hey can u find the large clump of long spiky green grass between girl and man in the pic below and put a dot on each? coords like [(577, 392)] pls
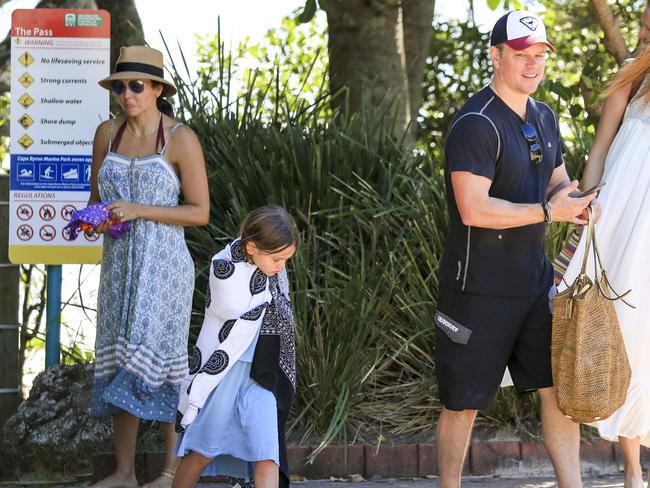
[(364, 283)]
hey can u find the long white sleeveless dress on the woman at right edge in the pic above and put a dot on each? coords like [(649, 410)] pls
[(623, 236)]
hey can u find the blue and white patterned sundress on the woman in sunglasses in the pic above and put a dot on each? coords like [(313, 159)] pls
[(145, 295)]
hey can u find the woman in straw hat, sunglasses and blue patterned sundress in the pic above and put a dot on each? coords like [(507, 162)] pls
[(142, 162)]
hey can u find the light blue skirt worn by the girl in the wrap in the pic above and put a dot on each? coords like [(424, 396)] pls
[(237, 426)]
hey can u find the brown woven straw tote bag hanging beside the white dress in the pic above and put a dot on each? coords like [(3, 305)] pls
[(591, 372)]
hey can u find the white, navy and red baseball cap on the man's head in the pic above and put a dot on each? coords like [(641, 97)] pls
[(519, 30)]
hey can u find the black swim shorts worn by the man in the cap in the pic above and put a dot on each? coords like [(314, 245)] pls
[(477, 336)]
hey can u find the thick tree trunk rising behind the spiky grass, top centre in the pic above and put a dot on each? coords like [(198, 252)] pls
[(377, 50)]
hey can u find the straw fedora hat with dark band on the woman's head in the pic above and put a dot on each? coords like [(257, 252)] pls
[(140, 63)]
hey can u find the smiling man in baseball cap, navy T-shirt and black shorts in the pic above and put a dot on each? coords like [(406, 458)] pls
[(505, 180)]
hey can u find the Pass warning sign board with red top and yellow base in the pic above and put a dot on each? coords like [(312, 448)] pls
[(57, 58)]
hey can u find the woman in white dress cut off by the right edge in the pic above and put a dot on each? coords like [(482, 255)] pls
[(620, 156)]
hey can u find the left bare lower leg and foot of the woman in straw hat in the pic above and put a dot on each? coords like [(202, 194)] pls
[(125, 431)]
